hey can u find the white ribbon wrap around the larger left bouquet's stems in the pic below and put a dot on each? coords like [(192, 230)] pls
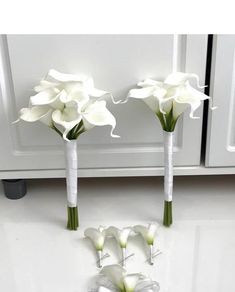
[(71, 172)]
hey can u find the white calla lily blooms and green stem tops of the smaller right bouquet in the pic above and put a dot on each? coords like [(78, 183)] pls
[(169, 99)]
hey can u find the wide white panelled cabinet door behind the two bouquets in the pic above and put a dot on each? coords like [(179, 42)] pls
[(117, 63)]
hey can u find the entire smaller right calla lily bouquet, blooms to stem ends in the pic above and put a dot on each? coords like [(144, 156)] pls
[(169, 100)]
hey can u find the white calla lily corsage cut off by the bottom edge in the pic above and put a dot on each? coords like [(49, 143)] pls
[(123, 282)]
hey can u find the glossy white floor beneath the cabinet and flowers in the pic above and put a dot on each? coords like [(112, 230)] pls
[(37, 253)]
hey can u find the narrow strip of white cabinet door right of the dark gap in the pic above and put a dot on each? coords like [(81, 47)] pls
[(221, 126)]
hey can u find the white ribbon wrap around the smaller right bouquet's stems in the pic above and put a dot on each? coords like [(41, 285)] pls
[(168, 164)]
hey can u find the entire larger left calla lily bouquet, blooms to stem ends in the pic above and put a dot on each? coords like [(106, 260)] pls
[(70, 105)]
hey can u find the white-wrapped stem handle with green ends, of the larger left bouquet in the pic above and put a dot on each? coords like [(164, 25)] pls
[(71, 182)]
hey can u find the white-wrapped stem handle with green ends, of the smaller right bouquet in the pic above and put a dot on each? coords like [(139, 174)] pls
[(168, 177)]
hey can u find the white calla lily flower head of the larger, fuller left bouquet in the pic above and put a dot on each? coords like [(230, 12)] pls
[(69, 104)]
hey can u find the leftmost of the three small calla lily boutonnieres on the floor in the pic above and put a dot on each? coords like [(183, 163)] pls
[(97, 236)]
